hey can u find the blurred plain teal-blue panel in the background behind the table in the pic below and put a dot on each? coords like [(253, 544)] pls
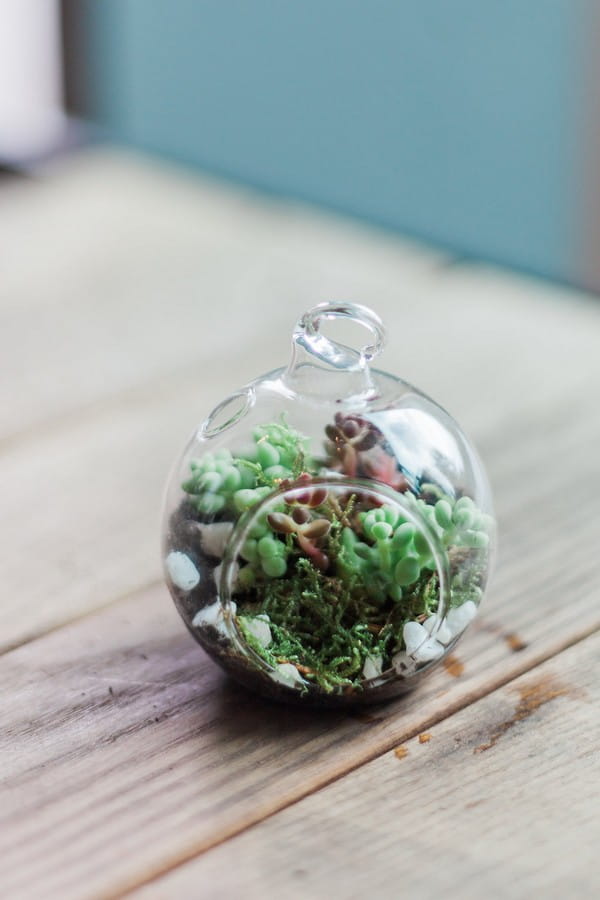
[(456, 122)]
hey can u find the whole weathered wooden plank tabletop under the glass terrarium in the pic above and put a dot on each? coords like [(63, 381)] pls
[(133, 298)]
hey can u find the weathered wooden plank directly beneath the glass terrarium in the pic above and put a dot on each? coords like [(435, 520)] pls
[(173, 760)]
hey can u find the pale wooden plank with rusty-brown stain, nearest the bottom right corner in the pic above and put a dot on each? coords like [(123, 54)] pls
[(499, 800)]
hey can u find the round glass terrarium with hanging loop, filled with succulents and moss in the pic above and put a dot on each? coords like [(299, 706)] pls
[(328, 530)]
